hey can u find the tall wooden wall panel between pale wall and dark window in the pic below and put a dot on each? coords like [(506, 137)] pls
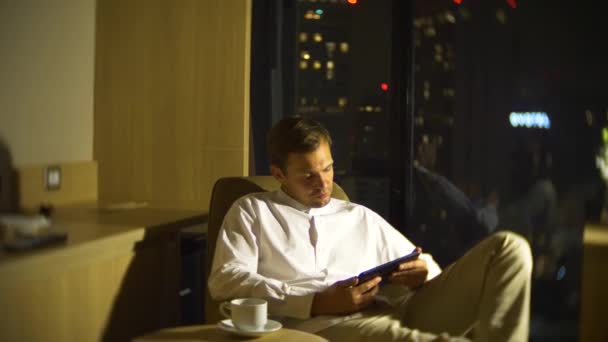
[(171, 98)]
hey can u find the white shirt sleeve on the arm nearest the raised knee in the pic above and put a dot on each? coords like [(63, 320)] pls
[(396, 245)]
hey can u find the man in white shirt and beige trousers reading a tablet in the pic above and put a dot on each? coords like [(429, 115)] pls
[(301, 250)]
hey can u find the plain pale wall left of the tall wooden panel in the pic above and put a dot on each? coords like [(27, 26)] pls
[(46, 87)]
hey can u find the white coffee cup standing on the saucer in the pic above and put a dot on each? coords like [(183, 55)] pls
[(246, 313)]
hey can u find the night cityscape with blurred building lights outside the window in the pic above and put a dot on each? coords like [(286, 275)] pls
[(507, 106)]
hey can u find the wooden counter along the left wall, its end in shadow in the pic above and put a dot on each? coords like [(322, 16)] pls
[(116, 277)]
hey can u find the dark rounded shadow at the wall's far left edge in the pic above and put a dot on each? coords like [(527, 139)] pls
[(9, 194)]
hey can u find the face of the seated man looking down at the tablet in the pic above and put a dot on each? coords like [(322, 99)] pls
[(308, 177)]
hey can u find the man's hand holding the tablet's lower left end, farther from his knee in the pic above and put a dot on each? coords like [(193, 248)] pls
[(345, 297)]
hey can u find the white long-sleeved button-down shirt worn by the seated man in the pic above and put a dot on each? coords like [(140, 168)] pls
[(271, 246)]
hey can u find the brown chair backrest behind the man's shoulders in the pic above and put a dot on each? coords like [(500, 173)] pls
[(225, 192)]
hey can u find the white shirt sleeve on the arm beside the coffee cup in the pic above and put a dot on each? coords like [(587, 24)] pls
[(234, 269)]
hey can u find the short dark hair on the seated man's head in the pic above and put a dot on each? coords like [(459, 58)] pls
[(294, 134)]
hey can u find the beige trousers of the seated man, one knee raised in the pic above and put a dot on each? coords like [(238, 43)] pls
[(488, 287)]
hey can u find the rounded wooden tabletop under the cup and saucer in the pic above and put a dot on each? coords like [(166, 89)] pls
[(198, 333)]
